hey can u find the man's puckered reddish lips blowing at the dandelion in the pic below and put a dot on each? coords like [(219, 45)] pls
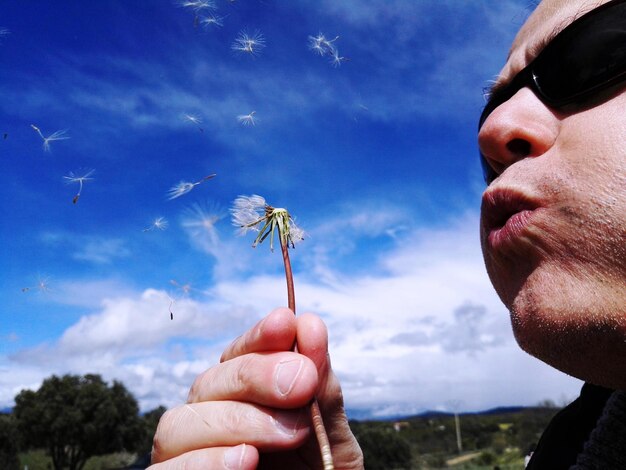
[(505, 215)]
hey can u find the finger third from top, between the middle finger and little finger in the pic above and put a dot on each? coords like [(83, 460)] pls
[(216, 424)]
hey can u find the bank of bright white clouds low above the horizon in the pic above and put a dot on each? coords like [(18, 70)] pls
[(422, 328)]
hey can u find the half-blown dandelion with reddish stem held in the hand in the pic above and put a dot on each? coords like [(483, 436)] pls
[(252, 213)]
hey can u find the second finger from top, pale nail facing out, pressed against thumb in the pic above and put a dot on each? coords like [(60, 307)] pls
[(281, 379)]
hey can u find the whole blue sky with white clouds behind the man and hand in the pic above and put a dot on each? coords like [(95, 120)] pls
[(375, 157)]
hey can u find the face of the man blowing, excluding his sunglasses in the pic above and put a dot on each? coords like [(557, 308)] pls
[(553, 224)]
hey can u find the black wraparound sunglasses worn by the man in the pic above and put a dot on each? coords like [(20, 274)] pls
[(585, 58)]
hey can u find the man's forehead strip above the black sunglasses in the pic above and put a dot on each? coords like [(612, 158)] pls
[(550, 17)]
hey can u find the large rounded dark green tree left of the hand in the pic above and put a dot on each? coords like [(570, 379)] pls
[(75, 417)]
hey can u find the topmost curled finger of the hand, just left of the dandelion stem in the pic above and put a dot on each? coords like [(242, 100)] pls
[(276, 332)]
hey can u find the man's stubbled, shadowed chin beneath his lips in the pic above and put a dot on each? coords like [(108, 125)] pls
[(574, 326)]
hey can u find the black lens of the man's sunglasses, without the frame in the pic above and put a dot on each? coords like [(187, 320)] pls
[(589, 56)]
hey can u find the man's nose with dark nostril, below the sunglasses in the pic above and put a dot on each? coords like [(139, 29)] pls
[(519, 128)]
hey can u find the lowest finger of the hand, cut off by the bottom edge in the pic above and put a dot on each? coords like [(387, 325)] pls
[(241, 457)]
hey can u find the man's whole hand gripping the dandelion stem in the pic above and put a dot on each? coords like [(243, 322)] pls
[(252, 409)]
